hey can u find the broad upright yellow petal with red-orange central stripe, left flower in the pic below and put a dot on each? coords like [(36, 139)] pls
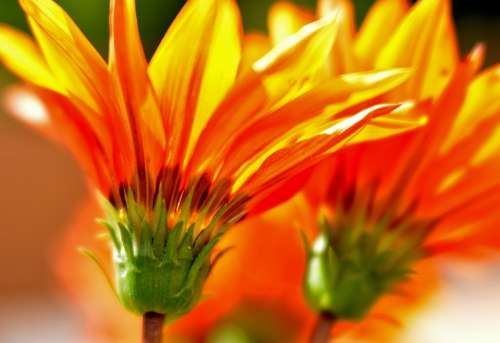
[(195, 66)]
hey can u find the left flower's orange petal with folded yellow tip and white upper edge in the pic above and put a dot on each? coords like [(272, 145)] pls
[(283, 74)]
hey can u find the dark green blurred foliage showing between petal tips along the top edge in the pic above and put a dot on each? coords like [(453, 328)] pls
[(156, 15)]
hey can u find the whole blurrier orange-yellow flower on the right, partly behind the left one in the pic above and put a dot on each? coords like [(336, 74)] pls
[(387, 205)]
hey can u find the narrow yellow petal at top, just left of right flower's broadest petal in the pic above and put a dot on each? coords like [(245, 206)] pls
[(378, 27)]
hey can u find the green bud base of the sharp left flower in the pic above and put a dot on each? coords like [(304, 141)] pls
[(159, 267)]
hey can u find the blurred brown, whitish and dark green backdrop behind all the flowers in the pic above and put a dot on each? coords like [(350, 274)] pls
[(41, 187)]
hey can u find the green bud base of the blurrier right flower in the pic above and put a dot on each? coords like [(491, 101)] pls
[(352, 263)]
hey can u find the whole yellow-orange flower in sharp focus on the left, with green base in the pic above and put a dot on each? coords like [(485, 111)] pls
[(189, 144)]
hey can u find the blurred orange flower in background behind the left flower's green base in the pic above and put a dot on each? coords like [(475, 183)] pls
[(248, 276)]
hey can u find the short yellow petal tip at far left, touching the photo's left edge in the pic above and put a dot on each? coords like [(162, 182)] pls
[(22, 56)]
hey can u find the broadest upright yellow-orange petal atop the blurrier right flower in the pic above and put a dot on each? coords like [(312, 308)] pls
[(424, 41)]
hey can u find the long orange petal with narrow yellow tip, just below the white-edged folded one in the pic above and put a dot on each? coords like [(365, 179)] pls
[(343, 91)]
